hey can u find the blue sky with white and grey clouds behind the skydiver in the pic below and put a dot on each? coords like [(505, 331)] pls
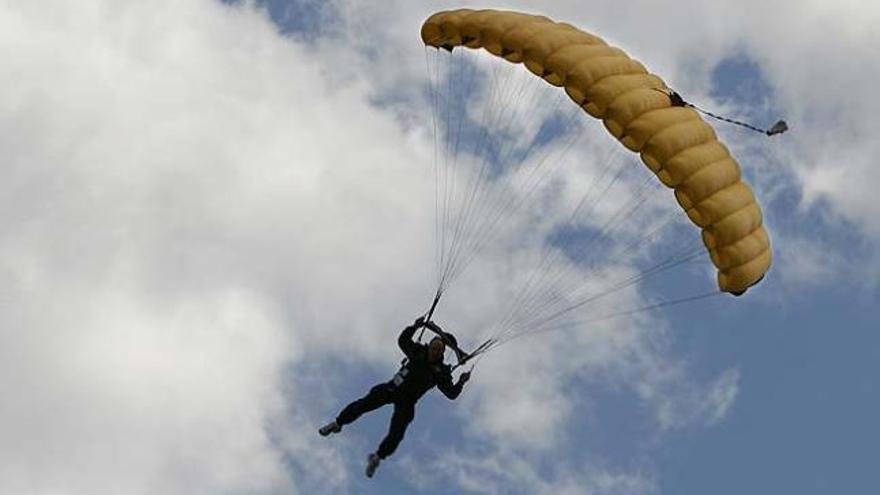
[(217, 216)]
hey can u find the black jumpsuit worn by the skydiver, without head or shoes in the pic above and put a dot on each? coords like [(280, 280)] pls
[(416, 376)]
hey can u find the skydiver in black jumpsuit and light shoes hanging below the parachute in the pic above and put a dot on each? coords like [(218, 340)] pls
[(422, 369)]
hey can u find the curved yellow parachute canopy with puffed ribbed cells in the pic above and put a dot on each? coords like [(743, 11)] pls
[(639, 110)]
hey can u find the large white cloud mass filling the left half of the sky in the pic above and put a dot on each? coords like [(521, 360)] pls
[(185, 199)]
